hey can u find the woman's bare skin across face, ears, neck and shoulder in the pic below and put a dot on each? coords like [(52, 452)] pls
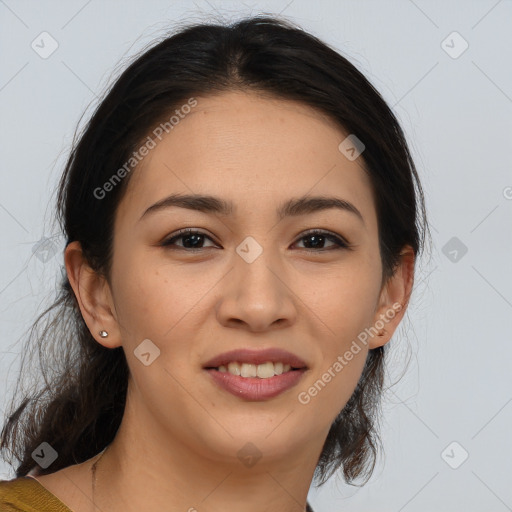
[(176, 449)]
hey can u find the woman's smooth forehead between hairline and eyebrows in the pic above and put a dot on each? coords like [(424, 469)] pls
[(254, 151)]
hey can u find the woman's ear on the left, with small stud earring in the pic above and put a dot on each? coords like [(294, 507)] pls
[(92, 292)]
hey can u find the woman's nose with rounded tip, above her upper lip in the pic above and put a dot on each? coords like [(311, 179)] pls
[(257, 296)]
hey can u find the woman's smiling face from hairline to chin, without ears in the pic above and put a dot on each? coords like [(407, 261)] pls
[(247, 278)]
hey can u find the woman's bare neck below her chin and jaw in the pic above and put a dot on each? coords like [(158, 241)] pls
[(144, 468)]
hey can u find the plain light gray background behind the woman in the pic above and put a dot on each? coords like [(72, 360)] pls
[(457, 113)]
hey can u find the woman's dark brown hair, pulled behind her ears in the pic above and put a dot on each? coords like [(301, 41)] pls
[(79, 406)]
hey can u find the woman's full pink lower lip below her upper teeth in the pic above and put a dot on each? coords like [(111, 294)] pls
[(254, 388)]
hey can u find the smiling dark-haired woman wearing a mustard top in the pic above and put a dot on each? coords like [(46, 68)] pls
[(243, 219)]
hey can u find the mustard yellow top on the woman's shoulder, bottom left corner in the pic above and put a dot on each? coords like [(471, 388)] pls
[(26, 494)]
